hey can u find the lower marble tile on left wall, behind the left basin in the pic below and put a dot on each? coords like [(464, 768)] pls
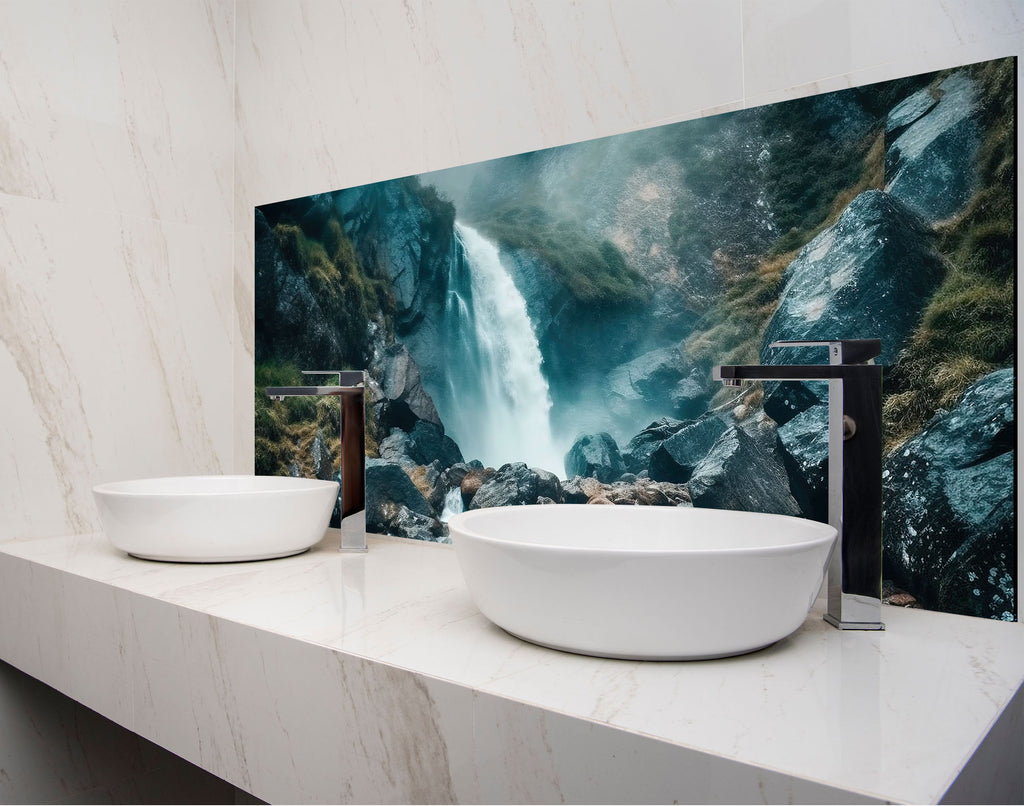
[(116, 336)]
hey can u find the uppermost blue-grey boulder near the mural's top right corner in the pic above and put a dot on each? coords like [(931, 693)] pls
[(934, 141)]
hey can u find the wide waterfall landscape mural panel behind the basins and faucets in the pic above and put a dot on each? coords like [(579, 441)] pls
[(541, 328)]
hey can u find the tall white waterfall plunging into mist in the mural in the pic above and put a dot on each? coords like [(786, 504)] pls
[(498, 406)]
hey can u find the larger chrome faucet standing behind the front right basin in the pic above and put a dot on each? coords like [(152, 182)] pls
[(855, 596)]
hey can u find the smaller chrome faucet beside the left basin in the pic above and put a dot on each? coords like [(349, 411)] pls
[(354, 493)]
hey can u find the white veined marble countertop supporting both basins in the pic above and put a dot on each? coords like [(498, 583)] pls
[(232, 665)]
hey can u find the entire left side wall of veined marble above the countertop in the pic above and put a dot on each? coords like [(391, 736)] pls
[(116, 306)]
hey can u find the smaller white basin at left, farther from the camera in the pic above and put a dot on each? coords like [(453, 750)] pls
[(216, 519)]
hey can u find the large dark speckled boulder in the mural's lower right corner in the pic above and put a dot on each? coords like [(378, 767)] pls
[(950, 510)]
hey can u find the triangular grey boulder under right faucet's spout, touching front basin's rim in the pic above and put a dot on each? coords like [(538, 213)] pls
[(740, 474)]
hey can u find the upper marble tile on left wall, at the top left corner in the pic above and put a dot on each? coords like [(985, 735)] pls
[(120, 106)]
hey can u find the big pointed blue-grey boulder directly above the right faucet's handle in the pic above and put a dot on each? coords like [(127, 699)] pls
[(868, 276)]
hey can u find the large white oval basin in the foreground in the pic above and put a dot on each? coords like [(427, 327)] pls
[(645, 583)]
